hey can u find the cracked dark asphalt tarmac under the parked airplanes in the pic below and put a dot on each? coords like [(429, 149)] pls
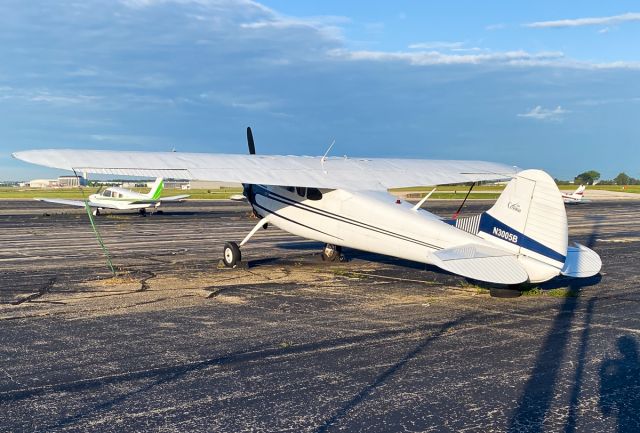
[(175, 343)]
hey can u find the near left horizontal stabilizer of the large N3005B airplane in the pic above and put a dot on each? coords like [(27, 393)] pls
[(481, 263)]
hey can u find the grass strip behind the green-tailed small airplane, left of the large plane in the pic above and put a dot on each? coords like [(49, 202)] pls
[(76, 193)]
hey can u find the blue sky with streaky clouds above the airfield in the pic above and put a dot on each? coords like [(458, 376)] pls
[(551, 85)]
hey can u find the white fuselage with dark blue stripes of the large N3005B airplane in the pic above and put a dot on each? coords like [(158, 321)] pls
[(368, 221)]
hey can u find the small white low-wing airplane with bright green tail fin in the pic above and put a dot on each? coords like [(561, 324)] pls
[(122, 199)]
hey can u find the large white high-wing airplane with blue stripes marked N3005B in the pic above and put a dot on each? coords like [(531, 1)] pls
[(343, 202)]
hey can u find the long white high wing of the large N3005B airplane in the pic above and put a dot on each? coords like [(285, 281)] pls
[(345, 173)]
